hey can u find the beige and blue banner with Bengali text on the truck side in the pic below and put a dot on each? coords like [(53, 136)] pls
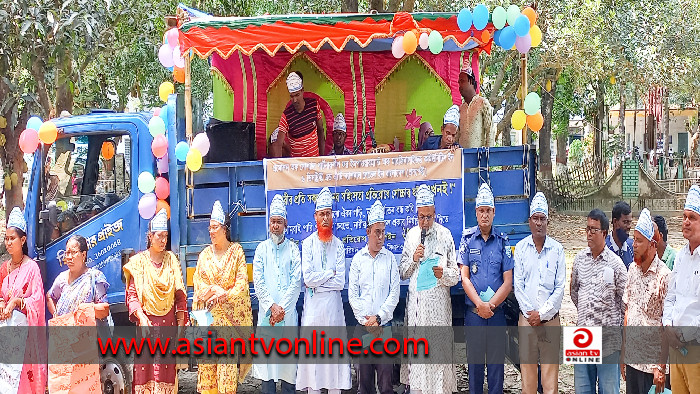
[(357, 181)]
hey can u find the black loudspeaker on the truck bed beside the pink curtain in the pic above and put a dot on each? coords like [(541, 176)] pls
[(230, 141)]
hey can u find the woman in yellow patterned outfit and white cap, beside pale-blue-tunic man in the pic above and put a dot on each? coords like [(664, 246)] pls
[(221, 285)]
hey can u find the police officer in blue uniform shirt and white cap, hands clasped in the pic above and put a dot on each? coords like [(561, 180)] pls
[(486, 263)]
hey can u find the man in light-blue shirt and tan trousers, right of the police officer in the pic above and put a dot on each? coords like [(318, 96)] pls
[(539, 278)]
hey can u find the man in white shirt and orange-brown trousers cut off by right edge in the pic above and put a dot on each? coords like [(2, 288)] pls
[(682, 304)]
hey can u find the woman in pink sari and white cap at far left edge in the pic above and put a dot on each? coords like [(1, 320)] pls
[(22, 291)]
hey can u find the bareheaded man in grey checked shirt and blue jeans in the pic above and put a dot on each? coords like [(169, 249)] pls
[(598, 281)]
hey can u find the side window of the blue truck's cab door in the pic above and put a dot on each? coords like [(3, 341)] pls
[(85, 175)]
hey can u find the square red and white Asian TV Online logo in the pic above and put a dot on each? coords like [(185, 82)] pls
[(583, 345)]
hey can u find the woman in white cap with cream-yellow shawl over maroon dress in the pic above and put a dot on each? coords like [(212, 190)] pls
[(155, 296)]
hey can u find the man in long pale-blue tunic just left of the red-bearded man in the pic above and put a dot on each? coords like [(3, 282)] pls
[(277, 281)]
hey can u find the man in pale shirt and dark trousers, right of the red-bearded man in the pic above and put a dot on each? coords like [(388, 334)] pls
[(373, 293)]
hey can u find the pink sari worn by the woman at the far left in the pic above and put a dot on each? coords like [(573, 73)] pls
[(25, 281)]
